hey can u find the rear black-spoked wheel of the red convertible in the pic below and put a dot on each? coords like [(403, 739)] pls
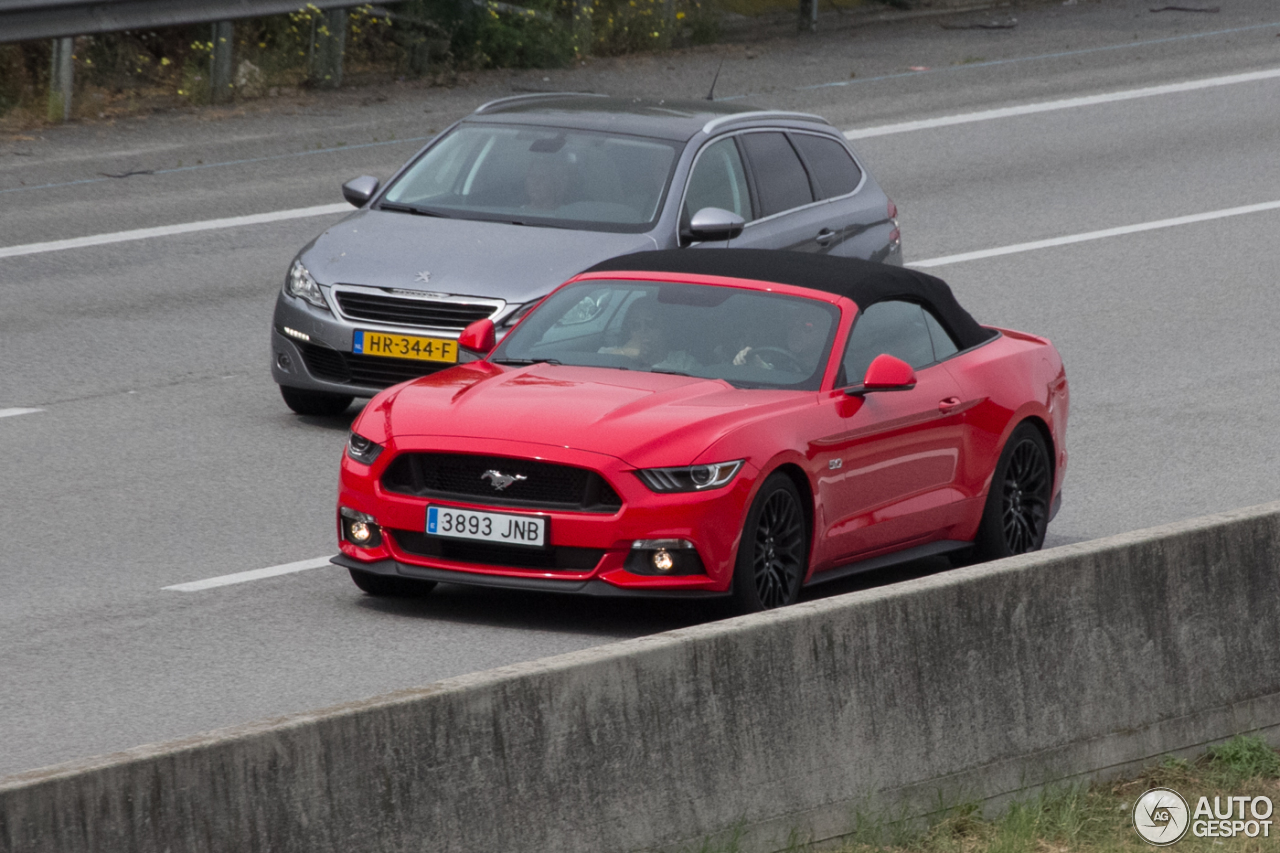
[(1016, 517)]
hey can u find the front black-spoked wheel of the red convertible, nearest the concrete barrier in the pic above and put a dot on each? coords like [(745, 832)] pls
[(774, 553)]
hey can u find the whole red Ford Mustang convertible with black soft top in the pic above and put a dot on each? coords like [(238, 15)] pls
[(710, 423)]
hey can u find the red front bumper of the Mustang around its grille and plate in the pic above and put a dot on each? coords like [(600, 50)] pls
[(711, 521)]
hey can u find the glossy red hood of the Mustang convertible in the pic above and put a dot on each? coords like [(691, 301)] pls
[(642, 418)]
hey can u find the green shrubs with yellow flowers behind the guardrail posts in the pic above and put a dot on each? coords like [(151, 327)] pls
[(436, 43)]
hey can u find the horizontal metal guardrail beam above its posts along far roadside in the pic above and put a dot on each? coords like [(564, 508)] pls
[(39, 20)]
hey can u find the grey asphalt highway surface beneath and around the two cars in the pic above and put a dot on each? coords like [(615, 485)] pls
[(161, 453)]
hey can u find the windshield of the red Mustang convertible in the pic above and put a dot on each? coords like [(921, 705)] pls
[(748, 339)]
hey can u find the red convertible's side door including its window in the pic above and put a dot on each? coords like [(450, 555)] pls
[(889, 460)]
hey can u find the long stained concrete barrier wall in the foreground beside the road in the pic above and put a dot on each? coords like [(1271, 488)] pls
[(979, 683)]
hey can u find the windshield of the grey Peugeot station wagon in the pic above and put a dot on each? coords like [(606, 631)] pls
[(540, 177)]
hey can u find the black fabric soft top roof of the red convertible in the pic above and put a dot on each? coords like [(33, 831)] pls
[(863, 282)]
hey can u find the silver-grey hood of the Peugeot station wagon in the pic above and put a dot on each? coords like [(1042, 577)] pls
[(514, 263)]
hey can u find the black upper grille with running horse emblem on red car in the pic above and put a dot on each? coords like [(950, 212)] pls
[(463, 477)]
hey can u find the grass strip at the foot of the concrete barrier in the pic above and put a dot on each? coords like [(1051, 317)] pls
[(1094, 819)]
